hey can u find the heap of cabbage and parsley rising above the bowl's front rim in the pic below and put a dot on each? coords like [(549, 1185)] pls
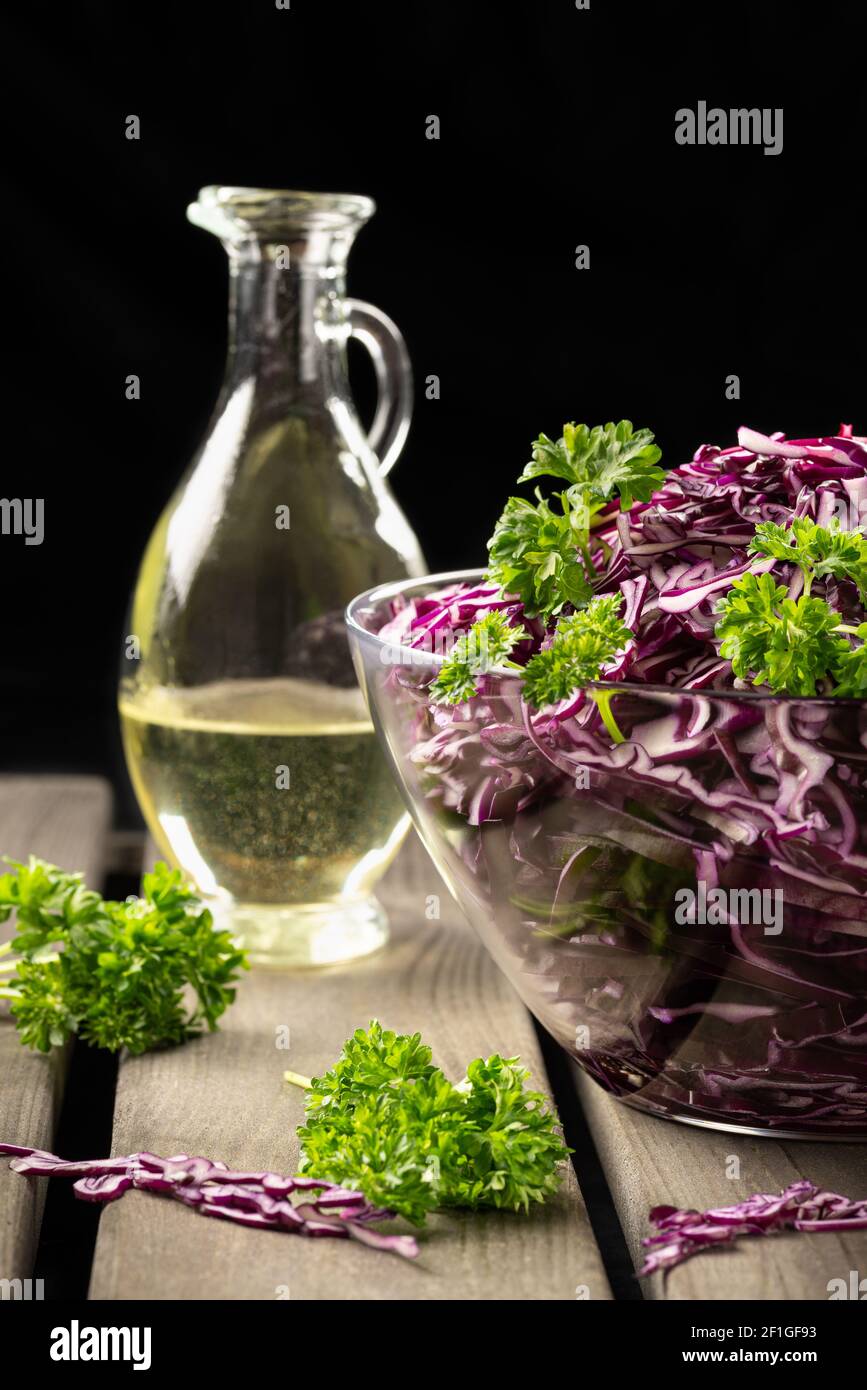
[(684, 566)]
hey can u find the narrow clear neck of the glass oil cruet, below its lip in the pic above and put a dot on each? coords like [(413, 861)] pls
[(283, 312)]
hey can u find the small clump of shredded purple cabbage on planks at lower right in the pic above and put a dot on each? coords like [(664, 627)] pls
[(801, 1207)]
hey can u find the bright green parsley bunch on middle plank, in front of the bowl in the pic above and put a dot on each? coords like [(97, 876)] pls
[(387, 1122)]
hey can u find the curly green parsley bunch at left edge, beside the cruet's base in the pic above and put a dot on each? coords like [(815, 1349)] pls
[(115, 974)]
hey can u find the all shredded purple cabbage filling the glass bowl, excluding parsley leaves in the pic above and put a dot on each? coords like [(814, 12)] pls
[(573, 847)]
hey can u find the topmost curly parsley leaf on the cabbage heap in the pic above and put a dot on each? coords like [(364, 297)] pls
[(601, 462)]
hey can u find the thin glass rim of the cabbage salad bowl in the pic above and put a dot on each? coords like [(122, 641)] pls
[(397, 587)]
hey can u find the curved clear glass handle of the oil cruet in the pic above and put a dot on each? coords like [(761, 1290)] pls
[(388, 351)]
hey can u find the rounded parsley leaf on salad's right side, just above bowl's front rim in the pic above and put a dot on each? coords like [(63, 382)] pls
[(772, 640)]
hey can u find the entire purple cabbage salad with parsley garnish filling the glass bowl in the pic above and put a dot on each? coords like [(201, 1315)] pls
[(657, 690)]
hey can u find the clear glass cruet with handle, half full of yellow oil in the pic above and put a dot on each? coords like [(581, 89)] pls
[(247, 737)]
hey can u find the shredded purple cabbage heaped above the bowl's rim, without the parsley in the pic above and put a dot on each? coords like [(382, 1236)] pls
[(673, 557)]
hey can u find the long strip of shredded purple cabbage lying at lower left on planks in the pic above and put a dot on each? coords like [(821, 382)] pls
[(216, 1191)]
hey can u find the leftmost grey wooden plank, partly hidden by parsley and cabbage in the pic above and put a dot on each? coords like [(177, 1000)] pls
[(66, 821)]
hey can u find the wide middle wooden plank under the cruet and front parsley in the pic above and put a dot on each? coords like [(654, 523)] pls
[(224, 1097)]
